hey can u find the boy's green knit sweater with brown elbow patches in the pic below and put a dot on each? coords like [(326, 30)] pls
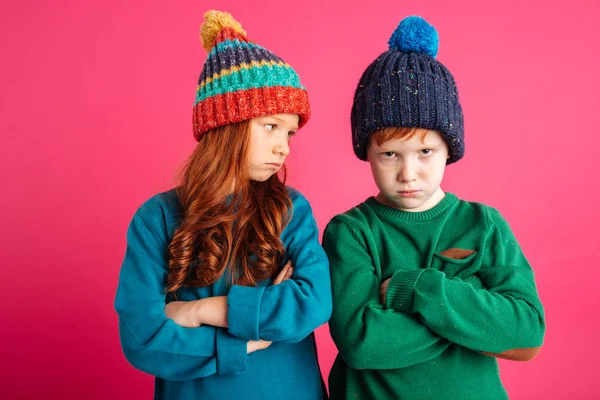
[(460, 286)]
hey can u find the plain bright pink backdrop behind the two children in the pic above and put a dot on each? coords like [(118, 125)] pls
[(95, 117)]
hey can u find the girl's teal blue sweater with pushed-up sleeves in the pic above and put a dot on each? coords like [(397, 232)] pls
[(209, 362)]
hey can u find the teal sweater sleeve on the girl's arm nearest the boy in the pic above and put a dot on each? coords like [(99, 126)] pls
[(290, 311)]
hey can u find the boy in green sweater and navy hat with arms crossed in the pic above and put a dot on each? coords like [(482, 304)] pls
[(428, 290)]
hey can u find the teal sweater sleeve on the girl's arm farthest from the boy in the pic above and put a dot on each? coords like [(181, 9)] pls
[(151, 342)]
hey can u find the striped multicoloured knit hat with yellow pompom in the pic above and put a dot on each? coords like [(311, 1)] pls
[(242, 80)]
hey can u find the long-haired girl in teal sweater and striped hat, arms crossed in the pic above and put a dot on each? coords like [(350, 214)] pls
[(224, 279)]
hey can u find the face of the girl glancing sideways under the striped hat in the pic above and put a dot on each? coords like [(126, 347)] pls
[(270, 144)]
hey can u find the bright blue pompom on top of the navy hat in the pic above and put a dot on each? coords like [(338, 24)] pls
[(415, 35)]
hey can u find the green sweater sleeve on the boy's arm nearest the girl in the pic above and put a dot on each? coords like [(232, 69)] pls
[(366, 334)]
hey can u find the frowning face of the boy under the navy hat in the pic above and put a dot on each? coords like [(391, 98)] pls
[(408, 172)]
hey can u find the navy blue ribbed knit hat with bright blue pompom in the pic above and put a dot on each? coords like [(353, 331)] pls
[(407, 87)]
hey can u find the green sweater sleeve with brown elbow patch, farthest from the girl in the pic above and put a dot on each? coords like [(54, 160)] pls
[(504, 319)]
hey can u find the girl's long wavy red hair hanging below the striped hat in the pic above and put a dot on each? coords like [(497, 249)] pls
[(227, 218)]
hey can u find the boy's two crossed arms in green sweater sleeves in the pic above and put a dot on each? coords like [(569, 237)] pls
[(497, 312)]
